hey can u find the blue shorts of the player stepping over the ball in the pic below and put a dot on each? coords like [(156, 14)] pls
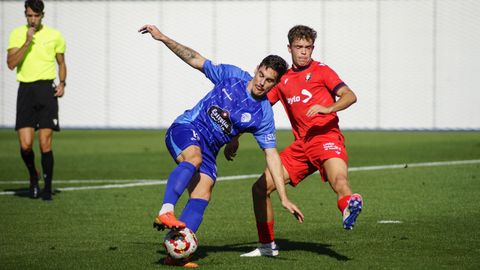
[(181, 136)]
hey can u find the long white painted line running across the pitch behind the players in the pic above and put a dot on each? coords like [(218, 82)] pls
[(145, 182)]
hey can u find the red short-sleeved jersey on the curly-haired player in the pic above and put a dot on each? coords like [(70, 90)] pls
[(298, 90)]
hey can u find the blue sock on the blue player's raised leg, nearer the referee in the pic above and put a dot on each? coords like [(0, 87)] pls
[(178, 181)]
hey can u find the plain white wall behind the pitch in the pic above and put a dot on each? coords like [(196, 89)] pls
[(412, 64)]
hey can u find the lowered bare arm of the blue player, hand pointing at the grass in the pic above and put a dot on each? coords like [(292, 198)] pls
[(274, 164)]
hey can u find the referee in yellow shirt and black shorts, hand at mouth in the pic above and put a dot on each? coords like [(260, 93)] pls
[(33, 49)]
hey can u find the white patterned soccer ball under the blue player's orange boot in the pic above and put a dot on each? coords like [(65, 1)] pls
[(181, 244)]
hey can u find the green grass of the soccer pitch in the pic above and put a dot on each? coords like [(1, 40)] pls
[(111, 228)]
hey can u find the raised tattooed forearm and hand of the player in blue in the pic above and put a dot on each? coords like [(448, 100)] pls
[(185, 53)]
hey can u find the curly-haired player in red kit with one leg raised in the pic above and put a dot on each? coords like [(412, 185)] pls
[(311, 93)]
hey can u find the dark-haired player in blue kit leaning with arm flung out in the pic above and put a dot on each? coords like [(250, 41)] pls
[(237, 104)]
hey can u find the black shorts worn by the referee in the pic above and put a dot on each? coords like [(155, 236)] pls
[(37, 106)]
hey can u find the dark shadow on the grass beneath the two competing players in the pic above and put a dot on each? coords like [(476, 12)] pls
[(284, 244)]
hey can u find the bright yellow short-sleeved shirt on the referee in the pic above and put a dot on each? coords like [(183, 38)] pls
[(40, 60)]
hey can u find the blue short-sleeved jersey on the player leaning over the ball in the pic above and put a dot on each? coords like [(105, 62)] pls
[(229, 109)]
